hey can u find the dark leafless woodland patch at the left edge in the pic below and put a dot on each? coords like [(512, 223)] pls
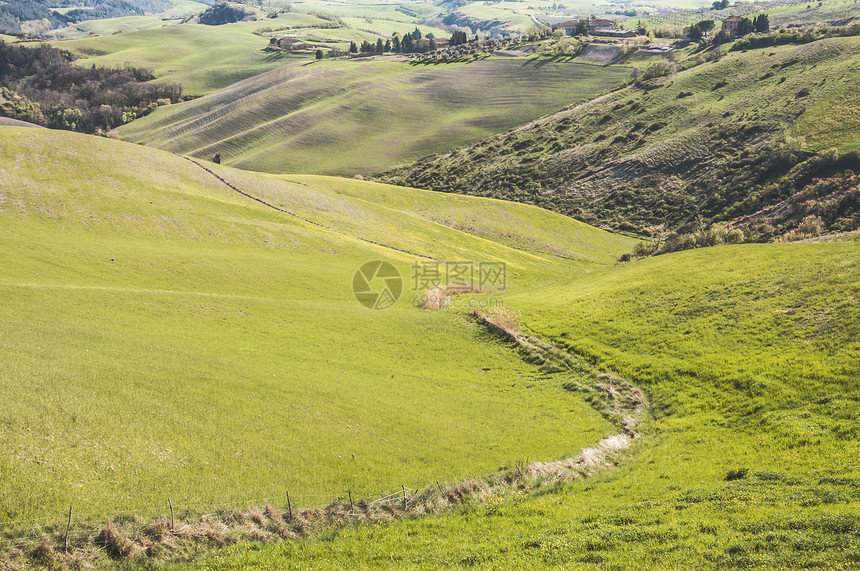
[(42, 85)]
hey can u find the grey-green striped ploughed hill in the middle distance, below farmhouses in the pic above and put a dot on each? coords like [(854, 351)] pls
[(358, 117)]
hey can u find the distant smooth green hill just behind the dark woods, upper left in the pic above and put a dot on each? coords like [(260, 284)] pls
[(207, 58)]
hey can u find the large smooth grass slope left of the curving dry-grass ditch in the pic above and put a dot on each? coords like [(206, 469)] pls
[(162, 335)]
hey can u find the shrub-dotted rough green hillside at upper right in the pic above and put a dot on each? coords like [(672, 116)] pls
[(718, 141)]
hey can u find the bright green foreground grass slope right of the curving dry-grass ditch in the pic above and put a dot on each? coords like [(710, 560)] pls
[(751, 360)]
